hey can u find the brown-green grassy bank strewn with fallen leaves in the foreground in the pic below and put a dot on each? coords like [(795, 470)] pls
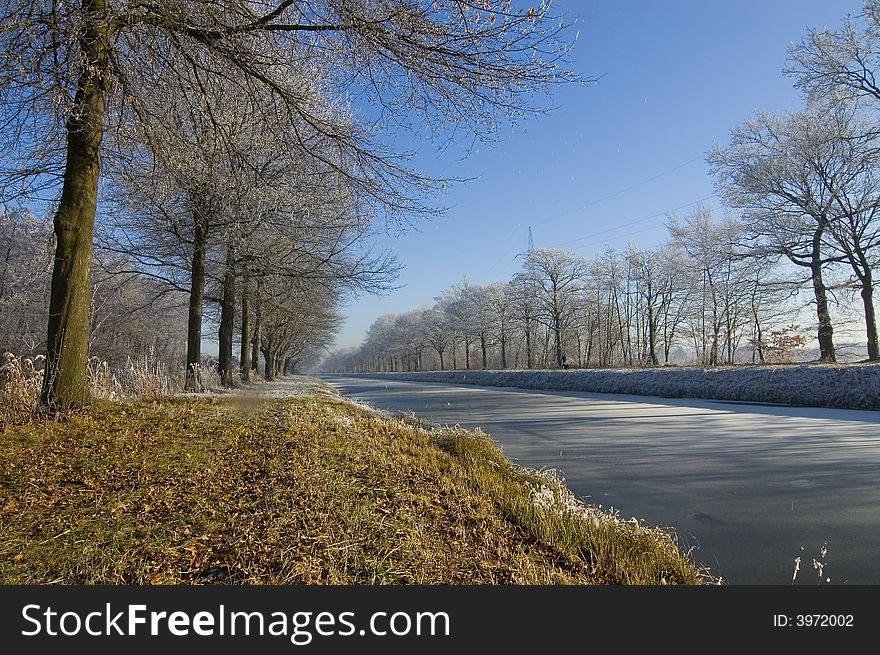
[(308, 490)]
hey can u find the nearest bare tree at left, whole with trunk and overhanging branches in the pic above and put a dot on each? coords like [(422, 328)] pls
[(84, 67)]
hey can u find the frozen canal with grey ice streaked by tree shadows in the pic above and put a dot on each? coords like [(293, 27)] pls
[(748, 487)]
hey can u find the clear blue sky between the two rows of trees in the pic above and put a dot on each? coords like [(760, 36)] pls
[(615, 157)]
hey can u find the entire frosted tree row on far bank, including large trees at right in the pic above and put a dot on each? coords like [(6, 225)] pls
[(806, 189)]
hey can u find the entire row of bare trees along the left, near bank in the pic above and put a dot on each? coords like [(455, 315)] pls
[(236, 152)]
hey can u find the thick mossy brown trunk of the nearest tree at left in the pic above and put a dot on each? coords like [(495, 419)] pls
[(64, 380)]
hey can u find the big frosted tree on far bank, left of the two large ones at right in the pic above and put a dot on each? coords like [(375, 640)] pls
[(788, 173)]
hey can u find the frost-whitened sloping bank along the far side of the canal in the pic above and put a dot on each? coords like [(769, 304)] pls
[(854, 386)]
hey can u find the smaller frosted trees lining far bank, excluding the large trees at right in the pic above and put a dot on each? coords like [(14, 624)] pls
[(699, 293)]
